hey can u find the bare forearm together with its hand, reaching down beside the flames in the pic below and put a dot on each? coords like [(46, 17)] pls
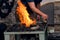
[(35, 9)]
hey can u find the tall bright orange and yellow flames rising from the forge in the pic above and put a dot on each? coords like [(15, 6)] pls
[(24, 15)]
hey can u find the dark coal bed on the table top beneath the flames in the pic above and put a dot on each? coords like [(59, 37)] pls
[(22, 28)]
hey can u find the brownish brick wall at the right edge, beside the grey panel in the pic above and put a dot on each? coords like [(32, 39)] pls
[(57, 16)]
